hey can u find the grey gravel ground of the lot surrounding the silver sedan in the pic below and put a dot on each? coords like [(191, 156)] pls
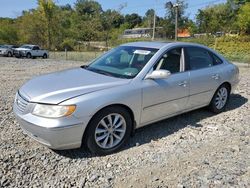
[(196, 149)]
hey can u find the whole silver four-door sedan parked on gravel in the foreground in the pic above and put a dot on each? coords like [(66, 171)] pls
[(131, 86)]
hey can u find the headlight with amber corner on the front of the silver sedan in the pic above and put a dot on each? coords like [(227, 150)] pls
[(53, 111)]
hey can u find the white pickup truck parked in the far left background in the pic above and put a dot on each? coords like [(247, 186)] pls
[(31, 51)]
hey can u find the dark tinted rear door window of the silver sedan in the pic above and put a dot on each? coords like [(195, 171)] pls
[(198, 58)]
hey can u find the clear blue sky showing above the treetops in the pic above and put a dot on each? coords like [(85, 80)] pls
[(14, 8)]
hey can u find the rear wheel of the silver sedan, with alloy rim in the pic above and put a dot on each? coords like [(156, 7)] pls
[(220, 99)]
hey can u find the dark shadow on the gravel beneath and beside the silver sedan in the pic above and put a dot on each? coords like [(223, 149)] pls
[(162, 128)]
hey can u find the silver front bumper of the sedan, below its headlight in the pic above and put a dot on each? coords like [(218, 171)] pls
[(61, 133)]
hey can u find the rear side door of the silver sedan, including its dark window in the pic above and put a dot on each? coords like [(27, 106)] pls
[(204, 75)]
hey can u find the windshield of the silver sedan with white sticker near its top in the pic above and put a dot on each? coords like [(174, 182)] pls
[(123, 61)]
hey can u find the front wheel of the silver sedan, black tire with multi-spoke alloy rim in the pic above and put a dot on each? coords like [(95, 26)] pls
[(100, 138)]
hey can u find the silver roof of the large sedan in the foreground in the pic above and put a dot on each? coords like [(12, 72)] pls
[(159, 45)]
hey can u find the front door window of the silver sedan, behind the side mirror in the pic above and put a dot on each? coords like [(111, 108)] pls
[(170, 61)]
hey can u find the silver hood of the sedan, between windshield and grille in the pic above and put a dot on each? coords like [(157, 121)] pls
[(56, 87)]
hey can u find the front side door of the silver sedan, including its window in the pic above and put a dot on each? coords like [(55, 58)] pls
[(166, 97)]
